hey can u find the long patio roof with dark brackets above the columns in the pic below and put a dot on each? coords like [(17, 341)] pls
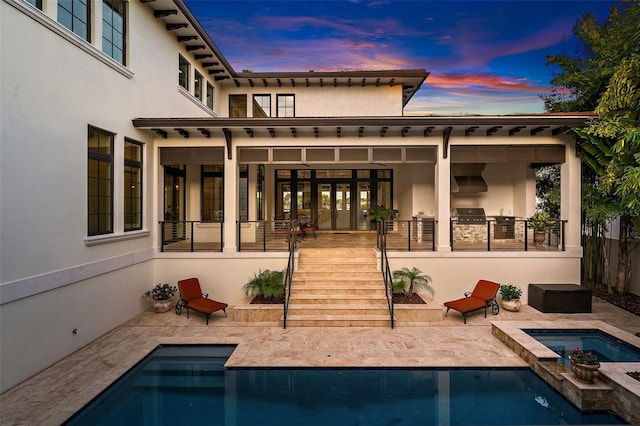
[(502, 125)]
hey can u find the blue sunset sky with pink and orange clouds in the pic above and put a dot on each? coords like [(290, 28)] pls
[(485, 57)]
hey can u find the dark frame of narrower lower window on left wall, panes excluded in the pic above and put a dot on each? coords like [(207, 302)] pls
[(136, 164)]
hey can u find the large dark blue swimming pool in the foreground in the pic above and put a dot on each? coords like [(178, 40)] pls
[(190, 385)]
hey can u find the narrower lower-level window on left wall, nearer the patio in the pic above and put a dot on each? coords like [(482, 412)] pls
[(132, 185)]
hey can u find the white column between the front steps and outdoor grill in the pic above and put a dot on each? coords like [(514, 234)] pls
[(443, 201)]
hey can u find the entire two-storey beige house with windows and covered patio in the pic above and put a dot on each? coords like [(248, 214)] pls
[(125, 131)]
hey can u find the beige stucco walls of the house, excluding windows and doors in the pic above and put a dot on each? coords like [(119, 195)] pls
[(60, 288)]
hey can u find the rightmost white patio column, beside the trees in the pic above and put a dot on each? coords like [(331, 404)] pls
[(570, 196)]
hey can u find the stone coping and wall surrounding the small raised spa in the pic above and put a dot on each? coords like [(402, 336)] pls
[(613, 390)]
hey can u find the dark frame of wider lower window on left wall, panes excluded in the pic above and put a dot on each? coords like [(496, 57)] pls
[(104, 201)]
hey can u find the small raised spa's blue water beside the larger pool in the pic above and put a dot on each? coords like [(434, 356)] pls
[(604, 345)]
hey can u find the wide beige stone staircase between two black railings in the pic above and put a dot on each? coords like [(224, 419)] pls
[(338, 288)]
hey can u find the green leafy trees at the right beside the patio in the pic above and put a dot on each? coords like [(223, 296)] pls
[(606, 79)]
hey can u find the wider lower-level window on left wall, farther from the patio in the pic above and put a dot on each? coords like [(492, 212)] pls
[(100, 182)]
